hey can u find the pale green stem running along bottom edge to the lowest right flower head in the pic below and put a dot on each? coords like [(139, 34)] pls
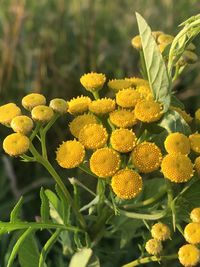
[(150, 259)]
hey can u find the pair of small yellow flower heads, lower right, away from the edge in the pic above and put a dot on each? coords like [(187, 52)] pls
[(160, 232)]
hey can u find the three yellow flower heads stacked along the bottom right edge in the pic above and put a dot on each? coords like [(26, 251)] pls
[(189, 254)]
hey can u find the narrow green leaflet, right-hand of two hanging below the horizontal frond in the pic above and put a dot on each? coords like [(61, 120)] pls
[(47, 247)]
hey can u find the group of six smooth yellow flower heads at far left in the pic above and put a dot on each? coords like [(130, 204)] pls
[(18, 143)]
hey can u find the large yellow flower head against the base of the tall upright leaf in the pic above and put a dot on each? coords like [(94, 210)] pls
[(148, 111)]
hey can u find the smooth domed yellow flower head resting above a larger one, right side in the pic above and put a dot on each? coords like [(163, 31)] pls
[(177, 143)]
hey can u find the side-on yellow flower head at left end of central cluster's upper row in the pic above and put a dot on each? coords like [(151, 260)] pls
[(78, 105)]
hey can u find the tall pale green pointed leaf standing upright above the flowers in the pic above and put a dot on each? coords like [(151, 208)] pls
[(155, 65)]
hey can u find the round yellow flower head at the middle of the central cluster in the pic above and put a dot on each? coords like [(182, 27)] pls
[(123, 140)]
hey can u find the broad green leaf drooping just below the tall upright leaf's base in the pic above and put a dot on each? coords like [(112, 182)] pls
[(172, 122)]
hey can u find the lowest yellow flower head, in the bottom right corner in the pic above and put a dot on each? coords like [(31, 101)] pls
[(189, 255)]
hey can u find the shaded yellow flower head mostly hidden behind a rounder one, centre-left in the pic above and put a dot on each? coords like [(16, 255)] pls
[(79, 122)]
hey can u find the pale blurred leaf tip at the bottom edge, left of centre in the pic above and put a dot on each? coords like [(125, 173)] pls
[(81, 258)]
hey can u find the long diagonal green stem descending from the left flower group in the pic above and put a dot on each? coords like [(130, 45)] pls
[(59, 182)]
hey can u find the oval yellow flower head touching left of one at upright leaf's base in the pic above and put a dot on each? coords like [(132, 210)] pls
[(123, 118)]
